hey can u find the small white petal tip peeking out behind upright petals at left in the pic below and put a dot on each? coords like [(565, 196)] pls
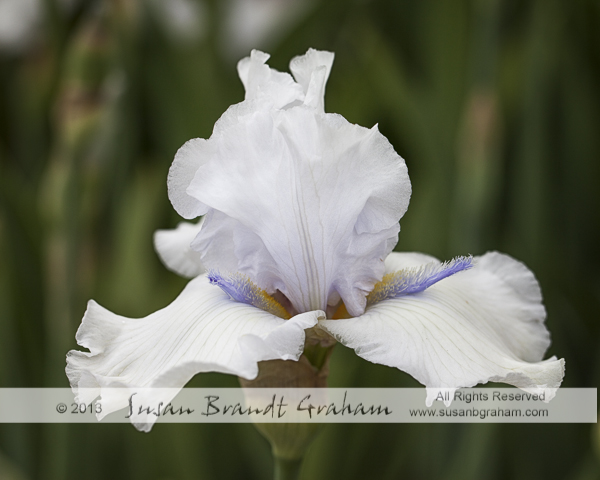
[(173, 248)]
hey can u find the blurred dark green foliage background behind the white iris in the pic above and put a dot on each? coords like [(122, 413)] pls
[(495, 105)]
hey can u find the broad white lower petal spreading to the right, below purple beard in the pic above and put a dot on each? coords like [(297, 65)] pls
[(484, 324)]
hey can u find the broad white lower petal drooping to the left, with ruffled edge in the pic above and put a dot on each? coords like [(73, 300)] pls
[(202, 330)]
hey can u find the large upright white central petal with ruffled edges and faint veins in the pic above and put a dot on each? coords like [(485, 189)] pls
[(313, 202)]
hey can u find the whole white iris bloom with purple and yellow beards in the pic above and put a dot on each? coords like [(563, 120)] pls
[(300, 213)]
